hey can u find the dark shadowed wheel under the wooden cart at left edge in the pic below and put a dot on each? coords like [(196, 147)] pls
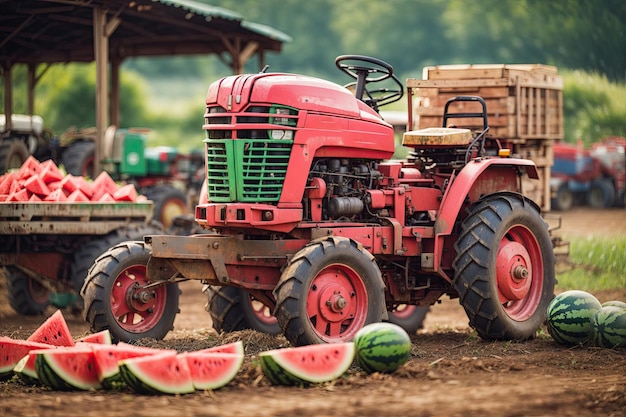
[(26, 296)]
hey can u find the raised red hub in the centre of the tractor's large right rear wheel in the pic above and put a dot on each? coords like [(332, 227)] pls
[(513, 271)]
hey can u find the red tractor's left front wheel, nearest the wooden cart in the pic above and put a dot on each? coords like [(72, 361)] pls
[(118, 296)]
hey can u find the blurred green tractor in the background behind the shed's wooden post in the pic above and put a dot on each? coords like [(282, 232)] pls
[(170, 179)]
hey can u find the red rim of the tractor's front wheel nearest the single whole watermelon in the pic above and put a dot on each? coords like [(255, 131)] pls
[(337, 303)]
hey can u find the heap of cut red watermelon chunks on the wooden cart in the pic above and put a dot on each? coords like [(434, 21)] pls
[(44, 182)]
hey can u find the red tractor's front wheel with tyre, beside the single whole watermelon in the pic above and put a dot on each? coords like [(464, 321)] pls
[(331, 288)]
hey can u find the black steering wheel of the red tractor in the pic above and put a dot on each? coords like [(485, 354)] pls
[(365, 70)]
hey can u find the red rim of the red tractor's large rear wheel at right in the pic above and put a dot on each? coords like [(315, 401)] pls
[(519, 273)]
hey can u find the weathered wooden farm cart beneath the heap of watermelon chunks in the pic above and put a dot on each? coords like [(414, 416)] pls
[(47, 248)]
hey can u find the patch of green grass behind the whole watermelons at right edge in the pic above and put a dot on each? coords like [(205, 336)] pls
[(596, 264)]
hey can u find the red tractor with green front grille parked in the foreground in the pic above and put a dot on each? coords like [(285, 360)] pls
[(309, 217)]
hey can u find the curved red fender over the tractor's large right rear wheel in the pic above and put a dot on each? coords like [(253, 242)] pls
[(460, 186)]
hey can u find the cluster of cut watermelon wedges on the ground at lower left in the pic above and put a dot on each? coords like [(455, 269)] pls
[(50, 356)]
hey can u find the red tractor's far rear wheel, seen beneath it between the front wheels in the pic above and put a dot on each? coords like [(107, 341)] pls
[(233, 309)]
